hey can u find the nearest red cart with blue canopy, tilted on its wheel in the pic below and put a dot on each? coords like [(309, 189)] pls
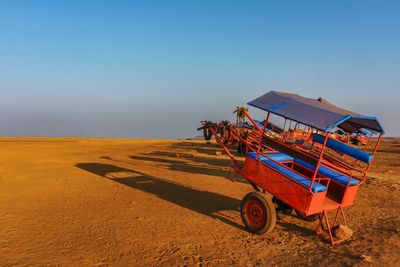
[(301, 167)]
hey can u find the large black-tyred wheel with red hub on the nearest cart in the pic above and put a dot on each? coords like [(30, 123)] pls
[(258, 214)]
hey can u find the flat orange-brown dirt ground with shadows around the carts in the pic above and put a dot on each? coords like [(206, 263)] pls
[(151, 202)]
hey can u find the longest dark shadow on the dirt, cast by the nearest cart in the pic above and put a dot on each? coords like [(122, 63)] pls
[(204, 202)]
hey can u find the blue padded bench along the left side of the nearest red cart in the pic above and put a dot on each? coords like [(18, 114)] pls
[(316, 188)]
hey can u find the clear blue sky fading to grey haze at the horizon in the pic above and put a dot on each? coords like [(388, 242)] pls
[(156, 68)]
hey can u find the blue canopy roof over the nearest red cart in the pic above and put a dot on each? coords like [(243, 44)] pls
[(317, 113)]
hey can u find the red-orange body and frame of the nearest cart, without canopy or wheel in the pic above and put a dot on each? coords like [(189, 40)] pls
[(289, 190)]
